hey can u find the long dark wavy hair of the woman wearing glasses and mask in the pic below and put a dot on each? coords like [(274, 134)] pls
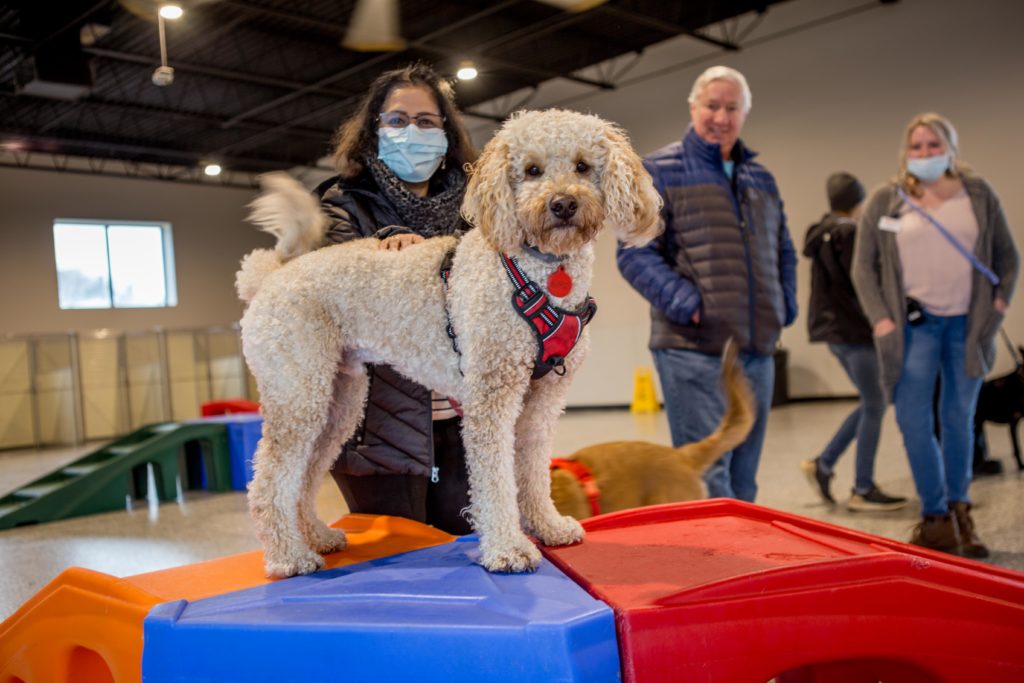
[(357, 138)]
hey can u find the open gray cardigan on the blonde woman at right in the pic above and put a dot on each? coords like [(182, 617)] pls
[(878, 278)]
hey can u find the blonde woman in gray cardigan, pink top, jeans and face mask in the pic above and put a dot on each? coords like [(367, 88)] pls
[(934, 269)]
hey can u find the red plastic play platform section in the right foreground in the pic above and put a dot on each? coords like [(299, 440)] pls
[(728, 591)]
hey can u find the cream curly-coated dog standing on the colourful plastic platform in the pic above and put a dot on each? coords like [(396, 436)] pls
[(542, 191)]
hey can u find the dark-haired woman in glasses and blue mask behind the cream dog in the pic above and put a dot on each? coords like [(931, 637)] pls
[(401, 161)]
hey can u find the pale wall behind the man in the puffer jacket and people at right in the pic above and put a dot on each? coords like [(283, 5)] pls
[(831, 97)]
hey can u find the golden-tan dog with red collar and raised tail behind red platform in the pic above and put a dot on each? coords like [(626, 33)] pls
[(631, 475)]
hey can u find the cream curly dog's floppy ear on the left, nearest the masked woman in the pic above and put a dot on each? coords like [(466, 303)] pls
[(490, 204)]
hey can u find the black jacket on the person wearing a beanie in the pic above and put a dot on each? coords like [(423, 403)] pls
[(835, 315)]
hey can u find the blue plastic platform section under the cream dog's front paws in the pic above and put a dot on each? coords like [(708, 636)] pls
[(426, 616)]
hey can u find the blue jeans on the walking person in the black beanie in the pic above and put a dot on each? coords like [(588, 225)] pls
[(865, 423)]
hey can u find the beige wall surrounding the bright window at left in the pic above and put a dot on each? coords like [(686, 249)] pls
[(207, 223)]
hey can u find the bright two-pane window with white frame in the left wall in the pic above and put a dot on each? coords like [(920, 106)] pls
[(114, 265)]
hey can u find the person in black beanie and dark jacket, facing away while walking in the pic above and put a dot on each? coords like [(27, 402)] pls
[(836, 318)]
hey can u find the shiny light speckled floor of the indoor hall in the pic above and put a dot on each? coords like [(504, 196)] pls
[(206, 527)]
